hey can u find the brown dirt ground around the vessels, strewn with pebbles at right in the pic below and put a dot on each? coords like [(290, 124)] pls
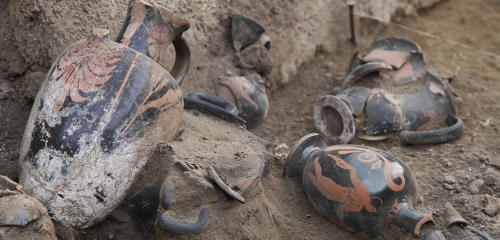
[(462, 48)]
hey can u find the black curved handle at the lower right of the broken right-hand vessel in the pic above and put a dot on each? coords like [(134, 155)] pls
[(453, 131)]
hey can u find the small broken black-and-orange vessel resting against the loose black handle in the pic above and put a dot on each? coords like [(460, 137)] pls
[(248, 94)]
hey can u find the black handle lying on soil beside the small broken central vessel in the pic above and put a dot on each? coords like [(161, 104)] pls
[(216, 106)]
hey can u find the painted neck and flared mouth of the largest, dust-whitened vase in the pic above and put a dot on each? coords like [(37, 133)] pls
[(150, 28)]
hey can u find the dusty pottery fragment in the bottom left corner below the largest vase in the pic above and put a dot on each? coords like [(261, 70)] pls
[(22, 217)]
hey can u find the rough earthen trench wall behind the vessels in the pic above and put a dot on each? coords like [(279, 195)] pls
[(35, 32)]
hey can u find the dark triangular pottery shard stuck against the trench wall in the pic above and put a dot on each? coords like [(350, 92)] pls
[(244, 31)]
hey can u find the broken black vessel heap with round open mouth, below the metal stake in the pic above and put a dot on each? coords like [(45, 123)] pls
[(405, 97)]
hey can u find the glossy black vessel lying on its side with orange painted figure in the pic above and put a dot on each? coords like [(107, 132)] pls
[(359, 188)]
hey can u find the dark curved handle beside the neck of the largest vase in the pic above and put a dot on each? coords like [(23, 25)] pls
[(182, 59)]
